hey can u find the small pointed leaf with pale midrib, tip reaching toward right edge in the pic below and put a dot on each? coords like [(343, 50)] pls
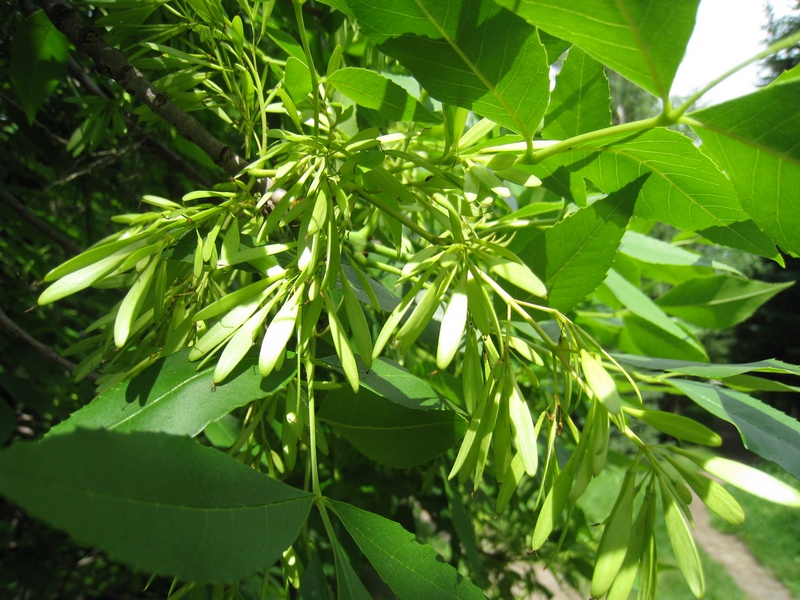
[(718, 301)]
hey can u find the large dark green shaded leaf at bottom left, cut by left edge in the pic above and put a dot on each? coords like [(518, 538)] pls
[(158, 502)]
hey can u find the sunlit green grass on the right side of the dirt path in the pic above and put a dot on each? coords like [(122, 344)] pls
[(770, 531)]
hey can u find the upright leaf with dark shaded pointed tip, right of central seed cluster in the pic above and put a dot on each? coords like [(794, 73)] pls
[(573, 256)]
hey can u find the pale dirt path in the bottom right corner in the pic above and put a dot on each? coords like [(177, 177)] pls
[(756, 581)]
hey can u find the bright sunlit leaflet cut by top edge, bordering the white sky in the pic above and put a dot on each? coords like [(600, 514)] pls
[(643, 41)]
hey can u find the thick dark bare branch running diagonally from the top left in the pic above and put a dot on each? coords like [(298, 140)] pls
[(113, 63)]
